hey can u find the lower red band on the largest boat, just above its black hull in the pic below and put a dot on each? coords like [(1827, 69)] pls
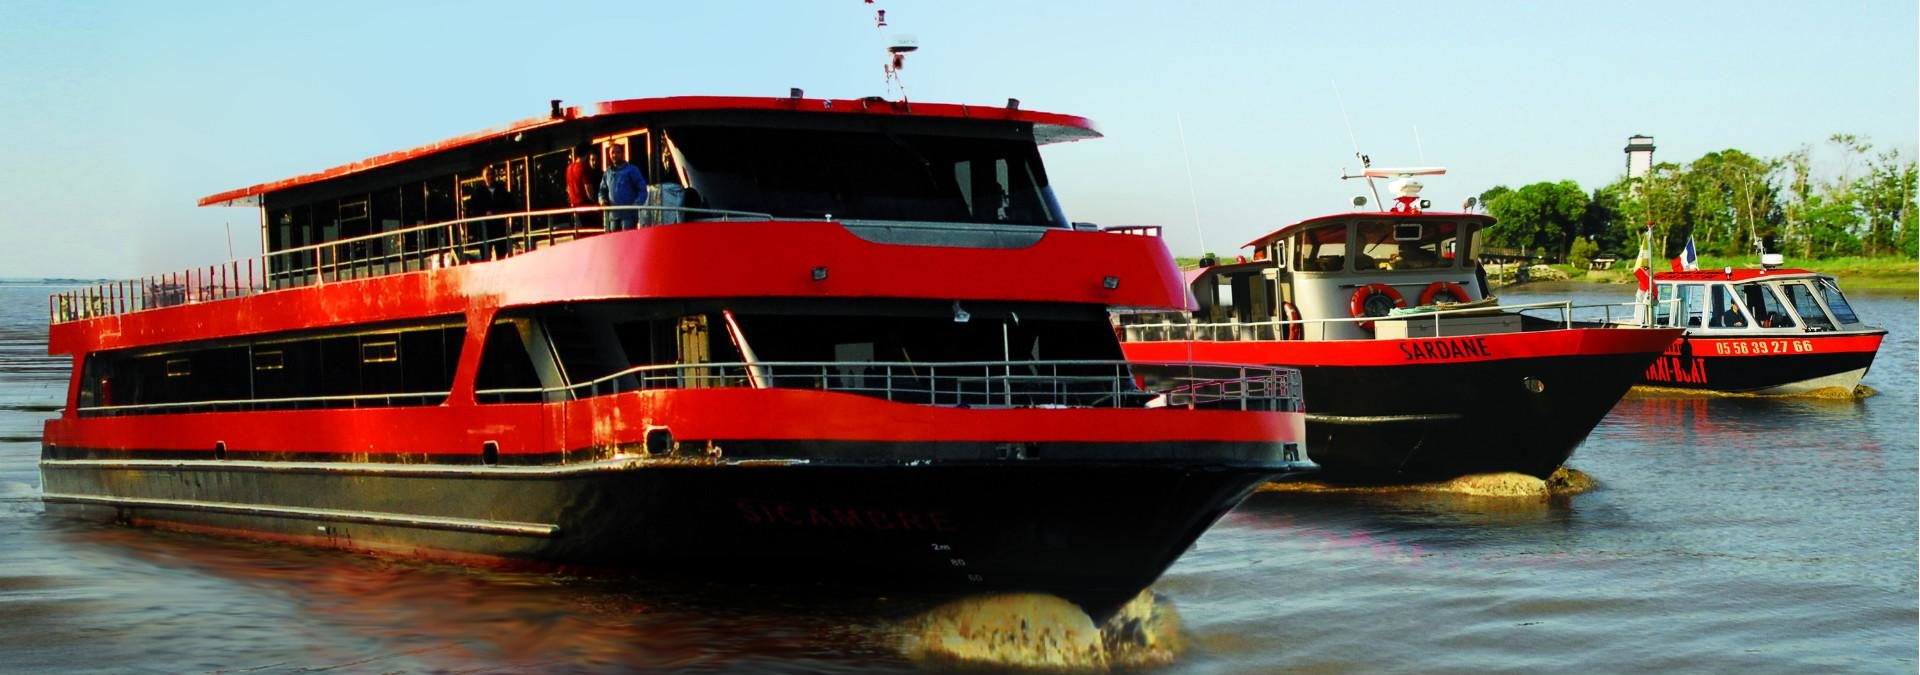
[(694, 415)]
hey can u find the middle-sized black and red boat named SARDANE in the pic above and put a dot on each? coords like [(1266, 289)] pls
[(1412, 367)]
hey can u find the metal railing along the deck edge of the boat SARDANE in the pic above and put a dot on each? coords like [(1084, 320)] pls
[(1234, 331)]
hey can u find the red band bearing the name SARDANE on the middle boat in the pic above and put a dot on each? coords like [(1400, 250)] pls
[(1410, 352)]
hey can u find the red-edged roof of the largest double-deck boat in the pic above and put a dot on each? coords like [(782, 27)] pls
[(1047, 129)]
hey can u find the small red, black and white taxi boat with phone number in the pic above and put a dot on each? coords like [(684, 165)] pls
[(1762, 331)]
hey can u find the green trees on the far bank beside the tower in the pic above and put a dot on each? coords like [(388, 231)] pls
[(1729, 202)]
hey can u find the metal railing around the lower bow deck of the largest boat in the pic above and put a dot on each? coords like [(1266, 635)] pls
[(971, 384)]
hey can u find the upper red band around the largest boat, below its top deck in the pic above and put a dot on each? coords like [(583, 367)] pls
[(696, 260)]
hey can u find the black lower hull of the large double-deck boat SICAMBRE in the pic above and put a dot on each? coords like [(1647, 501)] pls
[(1093, 532)]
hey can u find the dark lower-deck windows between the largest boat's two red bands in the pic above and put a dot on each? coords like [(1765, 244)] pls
[(552, 354)]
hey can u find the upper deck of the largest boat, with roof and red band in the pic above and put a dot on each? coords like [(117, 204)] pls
[(850, 179)]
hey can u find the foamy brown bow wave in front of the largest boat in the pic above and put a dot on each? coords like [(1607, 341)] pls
[(1044, 632)]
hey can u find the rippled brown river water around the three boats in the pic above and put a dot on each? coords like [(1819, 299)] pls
[(1723, 534)]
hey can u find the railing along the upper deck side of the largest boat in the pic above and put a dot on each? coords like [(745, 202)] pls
[(381, 254)]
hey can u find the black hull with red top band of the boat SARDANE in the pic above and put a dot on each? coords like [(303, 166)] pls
[(1433, 409)]
